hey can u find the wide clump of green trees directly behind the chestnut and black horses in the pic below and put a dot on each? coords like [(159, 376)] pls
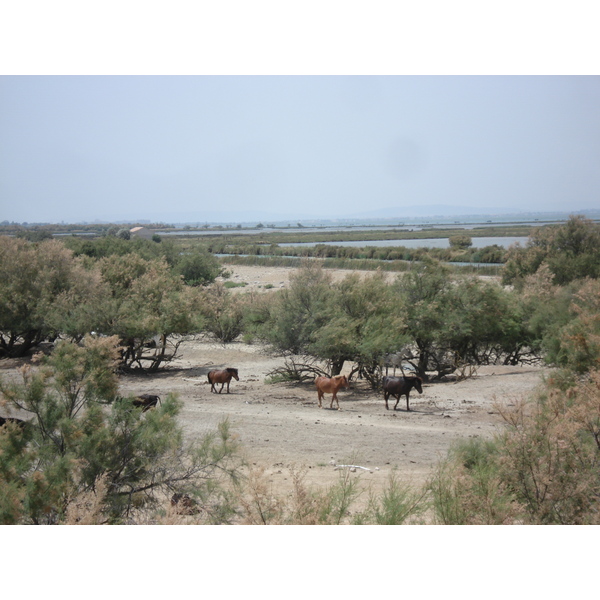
[(433, 321)]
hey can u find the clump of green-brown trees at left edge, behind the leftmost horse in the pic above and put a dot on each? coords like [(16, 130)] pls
[(48, 292)]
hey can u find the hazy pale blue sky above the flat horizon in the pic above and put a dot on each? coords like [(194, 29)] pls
[(80, 148)]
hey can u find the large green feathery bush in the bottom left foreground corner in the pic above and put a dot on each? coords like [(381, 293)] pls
[(83, 440)]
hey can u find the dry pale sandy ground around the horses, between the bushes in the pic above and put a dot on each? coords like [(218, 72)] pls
[(281, 426)]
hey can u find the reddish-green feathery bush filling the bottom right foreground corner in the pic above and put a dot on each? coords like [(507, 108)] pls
[(542, 469)]
